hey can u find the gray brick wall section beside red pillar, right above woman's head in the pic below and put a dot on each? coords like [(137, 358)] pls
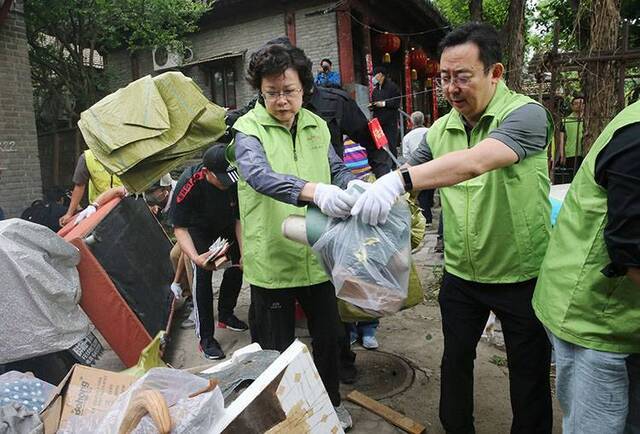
[(317, 36)]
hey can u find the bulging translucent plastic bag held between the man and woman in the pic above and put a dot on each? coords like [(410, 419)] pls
[(369, 265)]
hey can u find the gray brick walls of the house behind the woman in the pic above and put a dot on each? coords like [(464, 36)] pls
[(316, 34)]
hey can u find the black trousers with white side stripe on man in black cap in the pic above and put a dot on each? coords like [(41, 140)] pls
[(229, 287)]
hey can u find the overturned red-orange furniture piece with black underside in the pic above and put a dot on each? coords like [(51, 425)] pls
[(126, 274)]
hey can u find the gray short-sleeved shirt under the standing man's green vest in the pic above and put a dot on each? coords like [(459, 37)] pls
[(524, 131)]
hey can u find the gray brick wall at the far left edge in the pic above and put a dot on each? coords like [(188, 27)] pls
[(20, 181)]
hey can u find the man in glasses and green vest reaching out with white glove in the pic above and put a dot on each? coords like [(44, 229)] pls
[(489, 160)]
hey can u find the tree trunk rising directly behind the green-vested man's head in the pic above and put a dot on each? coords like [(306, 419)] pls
[(514, 44)]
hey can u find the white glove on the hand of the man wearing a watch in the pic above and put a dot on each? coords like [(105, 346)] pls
[(374, 205)]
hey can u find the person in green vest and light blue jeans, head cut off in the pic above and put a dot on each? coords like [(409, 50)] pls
[(588, 291)]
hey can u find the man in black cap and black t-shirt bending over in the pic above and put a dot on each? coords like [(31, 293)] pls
[(203, 208)]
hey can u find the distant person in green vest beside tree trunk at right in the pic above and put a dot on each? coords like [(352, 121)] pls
[(570, 146)]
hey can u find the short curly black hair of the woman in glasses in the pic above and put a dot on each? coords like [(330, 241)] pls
[(274, 59)]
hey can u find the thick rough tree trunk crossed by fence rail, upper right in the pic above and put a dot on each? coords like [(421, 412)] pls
[(600, 83)]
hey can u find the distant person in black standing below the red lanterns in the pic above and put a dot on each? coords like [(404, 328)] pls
[(384, 106)]
